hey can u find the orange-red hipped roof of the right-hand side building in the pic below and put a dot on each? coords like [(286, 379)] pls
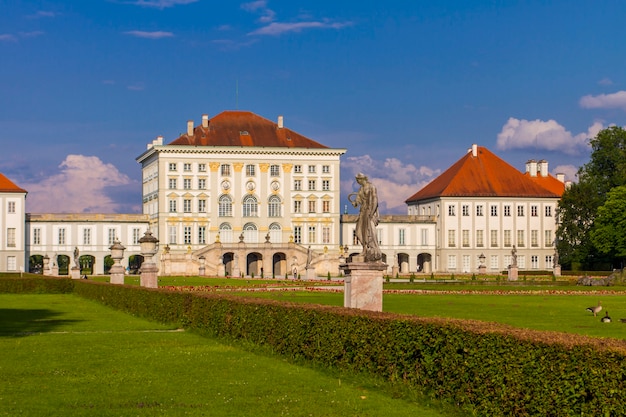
[(486, 175)]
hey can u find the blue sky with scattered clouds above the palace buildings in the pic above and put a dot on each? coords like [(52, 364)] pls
[(406, 86)]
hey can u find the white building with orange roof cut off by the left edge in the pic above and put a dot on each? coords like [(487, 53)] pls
[(12, 221)]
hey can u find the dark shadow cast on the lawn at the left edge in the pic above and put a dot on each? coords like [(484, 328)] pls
[(16, 322)]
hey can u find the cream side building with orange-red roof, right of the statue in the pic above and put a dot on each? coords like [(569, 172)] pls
[(485, 208)]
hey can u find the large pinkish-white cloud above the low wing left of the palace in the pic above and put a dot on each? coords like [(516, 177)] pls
[(80, 186)]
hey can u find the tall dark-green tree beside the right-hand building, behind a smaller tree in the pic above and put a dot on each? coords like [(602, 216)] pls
[(579, 204)]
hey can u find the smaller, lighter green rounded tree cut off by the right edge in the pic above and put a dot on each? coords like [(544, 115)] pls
[(609, 229)]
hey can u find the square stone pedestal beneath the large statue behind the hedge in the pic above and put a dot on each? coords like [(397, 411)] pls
[(363, 284)]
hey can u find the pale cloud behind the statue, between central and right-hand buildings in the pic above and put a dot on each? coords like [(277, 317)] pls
[(395, 181)]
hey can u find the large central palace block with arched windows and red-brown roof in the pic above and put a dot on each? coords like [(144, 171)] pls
[(239, 194)]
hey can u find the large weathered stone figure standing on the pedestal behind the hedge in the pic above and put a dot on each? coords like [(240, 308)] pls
[(367, 201)]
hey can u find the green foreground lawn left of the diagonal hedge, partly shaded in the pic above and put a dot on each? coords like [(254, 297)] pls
[(66, 356)]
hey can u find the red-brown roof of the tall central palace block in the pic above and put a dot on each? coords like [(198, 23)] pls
[(244, 128)]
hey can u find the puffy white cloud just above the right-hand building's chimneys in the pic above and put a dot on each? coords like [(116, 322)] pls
[(539, 134)]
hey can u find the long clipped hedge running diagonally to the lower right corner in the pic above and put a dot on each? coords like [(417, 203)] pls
[(484, 368)]
